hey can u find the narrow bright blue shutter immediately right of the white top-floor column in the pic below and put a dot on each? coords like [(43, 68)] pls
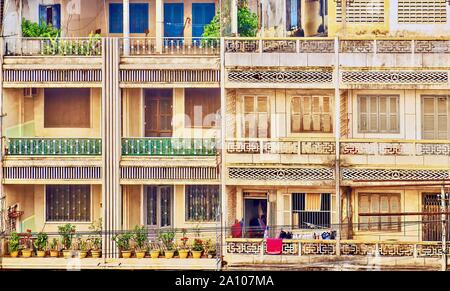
[(173, 19)]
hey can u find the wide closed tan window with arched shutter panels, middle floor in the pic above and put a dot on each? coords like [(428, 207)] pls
[(311, 114)]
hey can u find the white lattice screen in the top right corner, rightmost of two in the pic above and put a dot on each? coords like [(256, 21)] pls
[(422, 11)]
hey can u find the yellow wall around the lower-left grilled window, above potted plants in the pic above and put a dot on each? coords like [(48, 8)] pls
[(31, 199)]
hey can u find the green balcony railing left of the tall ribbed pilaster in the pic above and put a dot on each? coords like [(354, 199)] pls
[(54, 146)]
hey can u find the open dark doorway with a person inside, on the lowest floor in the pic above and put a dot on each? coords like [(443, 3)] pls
[(255, 217)]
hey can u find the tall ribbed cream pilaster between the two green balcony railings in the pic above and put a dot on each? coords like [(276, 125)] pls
[(111, 135)]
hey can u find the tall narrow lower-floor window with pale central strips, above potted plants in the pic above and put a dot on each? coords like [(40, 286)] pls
[(158, 205)]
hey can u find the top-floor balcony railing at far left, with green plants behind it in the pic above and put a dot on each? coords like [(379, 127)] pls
[(48, 46)]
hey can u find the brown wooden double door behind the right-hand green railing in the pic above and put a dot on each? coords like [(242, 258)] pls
[(158, 112)]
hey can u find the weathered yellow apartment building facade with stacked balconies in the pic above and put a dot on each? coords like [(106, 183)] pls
[(334, 119)]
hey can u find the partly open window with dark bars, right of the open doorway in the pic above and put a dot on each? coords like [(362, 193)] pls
[(311, 210)]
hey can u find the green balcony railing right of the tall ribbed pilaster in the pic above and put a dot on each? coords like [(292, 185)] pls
[(169, 147)]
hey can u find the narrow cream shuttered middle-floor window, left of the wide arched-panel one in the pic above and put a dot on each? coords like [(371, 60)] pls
[(256, 117)]
